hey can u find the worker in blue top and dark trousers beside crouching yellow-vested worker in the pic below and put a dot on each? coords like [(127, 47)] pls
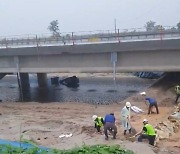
[(109, 125)]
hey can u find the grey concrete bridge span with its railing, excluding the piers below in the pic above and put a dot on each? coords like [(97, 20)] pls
[(109, 52)]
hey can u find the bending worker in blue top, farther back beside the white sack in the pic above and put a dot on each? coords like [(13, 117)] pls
[(152, 102)]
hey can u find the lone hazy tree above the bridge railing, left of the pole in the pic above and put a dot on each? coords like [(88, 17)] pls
[(54, 28)]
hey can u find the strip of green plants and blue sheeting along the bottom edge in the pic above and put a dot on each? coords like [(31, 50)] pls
[(96, 149)]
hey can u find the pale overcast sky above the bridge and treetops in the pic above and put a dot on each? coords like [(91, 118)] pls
[(19, 17)]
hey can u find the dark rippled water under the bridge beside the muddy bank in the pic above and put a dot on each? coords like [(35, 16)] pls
[(95, 90)]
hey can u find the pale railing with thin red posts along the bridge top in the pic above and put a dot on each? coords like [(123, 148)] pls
[(88, 37)]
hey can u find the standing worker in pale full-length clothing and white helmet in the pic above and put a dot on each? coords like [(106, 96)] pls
[(125, 117)]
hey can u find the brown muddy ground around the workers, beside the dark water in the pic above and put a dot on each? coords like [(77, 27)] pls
[(43, 123)]
